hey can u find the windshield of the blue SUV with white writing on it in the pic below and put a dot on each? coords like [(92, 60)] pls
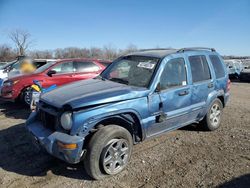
[(132, 70)]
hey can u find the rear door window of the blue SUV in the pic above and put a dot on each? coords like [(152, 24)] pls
[(199, 68)]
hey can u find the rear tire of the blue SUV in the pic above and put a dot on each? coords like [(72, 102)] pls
[(209, 124)]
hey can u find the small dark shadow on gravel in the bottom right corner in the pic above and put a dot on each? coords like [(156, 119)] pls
[(239, 182)]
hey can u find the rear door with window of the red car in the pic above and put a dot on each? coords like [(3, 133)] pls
[(86, 70)]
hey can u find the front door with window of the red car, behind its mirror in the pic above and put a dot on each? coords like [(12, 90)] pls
[(64, 74)]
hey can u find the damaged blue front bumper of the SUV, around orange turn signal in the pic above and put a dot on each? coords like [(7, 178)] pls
[(48, 140)]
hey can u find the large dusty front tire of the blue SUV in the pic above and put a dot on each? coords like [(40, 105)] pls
[(98, 147)]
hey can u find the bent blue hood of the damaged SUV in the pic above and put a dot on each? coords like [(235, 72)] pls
[(92, 92)]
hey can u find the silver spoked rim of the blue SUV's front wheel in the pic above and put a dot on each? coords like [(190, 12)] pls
[(116, 156)]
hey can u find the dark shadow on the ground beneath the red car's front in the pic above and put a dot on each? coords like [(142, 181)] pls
[(14, 110)]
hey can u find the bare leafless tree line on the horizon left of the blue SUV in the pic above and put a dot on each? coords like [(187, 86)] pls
[(23, 42)]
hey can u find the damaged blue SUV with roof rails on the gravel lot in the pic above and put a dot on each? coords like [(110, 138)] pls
[(140, 95)]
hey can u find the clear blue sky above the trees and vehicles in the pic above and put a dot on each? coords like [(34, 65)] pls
[(222, 24)]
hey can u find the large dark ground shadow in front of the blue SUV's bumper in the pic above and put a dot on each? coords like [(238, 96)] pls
[(18, 155)]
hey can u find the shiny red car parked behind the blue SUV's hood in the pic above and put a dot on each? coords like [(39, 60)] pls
[(57, 72)]
